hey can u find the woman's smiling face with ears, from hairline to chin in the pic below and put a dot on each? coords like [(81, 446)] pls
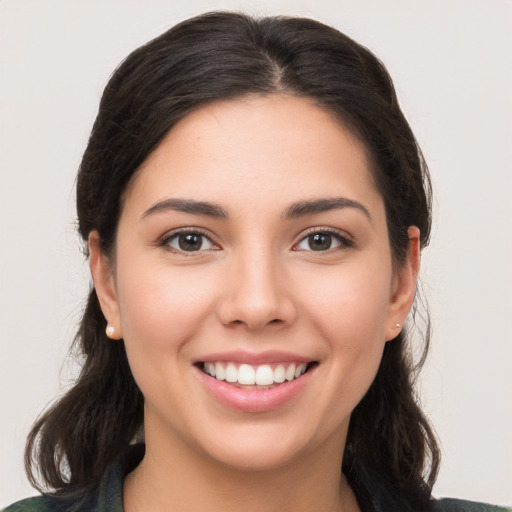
[(253, 282)]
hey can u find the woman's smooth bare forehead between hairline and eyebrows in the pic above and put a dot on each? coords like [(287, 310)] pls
[(256, 152)]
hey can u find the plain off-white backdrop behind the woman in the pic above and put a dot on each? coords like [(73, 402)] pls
[(451, 62)]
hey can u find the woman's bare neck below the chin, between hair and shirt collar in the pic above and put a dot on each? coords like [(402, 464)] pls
[(174, 475)]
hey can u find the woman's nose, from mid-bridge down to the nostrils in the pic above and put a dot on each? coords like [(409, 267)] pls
[(257, 293)]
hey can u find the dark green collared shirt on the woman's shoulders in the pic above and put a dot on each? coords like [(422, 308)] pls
[(108, 496)]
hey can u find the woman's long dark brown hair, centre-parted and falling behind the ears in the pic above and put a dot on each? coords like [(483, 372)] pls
[(226, 56)]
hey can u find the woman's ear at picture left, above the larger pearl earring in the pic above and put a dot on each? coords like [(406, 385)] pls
[(102, 272)]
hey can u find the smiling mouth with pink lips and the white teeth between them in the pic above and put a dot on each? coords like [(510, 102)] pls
[(255, 382)]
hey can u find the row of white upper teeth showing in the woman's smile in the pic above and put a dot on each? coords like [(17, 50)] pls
[(262, 375)]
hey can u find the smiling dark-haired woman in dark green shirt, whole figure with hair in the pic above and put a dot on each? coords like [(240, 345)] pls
[(254, 204)]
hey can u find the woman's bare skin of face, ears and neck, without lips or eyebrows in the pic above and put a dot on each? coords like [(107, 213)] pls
[(257, 286)]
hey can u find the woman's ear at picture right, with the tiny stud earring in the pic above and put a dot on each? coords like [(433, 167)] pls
[(404, 286)]
